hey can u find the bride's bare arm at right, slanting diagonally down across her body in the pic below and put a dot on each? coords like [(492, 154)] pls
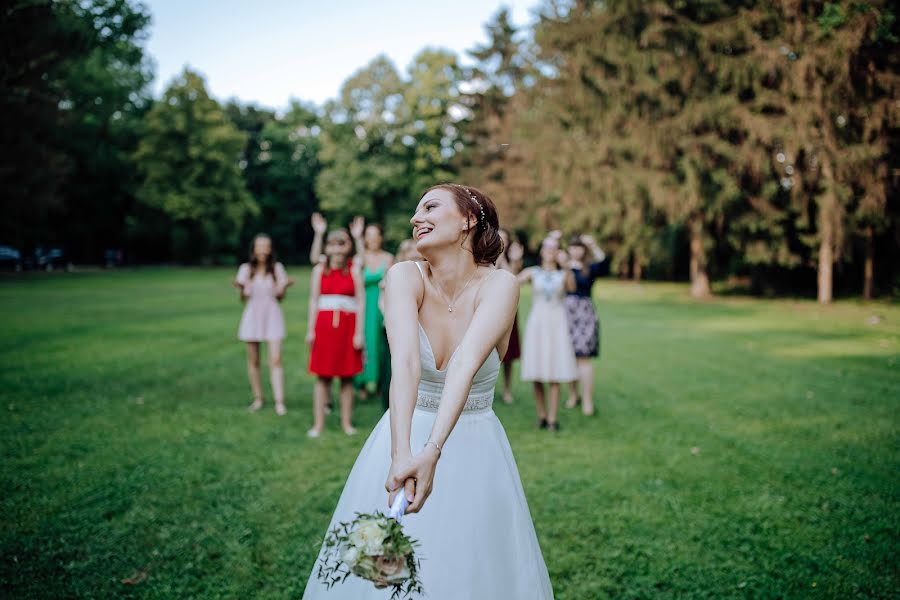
[(491, 322)]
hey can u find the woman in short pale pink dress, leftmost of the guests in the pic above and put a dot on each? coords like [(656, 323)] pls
[(262, 283)]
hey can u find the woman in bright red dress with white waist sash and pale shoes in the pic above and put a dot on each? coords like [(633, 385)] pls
[(335, 328)]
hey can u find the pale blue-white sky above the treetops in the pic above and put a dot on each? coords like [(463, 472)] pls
[(270, 51)]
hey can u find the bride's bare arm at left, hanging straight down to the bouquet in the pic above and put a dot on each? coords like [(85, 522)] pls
[(402, 290)]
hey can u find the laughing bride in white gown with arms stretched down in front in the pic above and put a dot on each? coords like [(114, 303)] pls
[(448, 322)]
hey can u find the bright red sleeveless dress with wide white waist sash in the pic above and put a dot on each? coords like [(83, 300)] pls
[(332, 353)]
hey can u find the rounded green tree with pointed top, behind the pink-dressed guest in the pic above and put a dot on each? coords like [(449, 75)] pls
[(188, 157)]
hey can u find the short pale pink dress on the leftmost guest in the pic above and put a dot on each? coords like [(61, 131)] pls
[(262, 319)]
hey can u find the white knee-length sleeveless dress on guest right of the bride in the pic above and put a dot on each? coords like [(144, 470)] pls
[(547, 352)]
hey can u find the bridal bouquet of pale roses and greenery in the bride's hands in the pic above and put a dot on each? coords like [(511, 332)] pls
[(374, 547)]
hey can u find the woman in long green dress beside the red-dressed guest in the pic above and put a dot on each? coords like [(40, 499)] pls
[(376, 262)]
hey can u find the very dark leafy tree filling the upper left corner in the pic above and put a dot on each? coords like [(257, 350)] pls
[(73, 91)]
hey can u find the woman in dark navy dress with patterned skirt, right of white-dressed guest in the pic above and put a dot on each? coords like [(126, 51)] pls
[(587, 263)]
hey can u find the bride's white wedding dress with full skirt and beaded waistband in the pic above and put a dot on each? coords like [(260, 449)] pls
[(477, 540)]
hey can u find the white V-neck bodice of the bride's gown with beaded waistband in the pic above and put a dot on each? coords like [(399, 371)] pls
[(431, 384)]
